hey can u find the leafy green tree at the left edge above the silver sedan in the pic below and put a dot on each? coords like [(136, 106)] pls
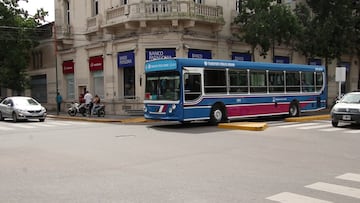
[(18, 36)]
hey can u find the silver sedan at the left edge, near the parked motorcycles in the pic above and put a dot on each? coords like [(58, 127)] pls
[(21, 108)]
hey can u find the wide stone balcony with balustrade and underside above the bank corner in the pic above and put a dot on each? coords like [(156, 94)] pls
[(185, 13)]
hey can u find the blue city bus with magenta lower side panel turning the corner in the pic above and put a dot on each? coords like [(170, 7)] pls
[(187, 89)]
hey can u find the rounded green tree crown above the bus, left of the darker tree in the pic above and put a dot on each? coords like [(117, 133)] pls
[(266, 25)]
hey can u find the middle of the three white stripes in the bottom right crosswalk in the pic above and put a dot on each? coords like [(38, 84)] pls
[(336, 189)]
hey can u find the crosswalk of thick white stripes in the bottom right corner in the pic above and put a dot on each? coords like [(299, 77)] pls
[(336, 189)]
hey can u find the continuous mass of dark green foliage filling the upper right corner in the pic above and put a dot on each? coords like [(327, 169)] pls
[(319, 28)]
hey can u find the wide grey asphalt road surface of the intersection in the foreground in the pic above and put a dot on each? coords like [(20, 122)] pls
[(77, 161)]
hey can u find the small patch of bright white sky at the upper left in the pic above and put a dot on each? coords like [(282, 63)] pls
[(33, 5)]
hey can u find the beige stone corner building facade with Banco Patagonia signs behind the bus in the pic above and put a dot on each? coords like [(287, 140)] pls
[(101, 46)]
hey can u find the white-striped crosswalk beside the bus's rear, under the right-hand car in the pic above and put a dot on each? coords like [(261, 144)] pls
[(322, 126)]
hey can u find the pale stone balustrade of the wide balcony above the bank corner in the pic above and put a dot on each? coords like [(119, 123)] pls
[(172, 10)]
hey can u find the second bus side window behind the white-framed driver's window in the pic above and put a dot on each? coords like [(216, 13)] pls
[(238, 81)]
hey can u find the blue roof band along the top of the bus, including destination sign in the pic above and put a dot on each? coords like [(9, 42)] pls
[(172, 64)]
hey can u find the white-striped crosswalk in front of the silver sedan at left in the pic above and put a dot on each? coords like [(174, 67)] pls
[(6, 126)]
